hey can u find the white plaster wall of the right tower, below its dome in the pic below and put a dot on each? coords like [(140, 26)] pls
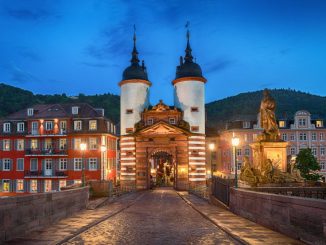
[(189, 94)]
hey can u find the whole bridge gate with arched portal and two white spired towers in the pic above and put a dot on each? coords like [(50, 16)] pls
[(163, 144)]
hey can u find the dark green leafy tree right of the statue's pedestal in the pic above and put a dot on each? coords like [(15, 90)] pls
[(307, 163)]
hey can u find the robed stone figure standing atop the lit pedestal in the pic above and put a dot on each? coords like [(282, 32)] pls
[(268, 119)]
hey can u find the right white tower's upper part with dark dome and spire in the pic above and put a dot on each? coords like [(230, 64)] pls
[(189, 91)]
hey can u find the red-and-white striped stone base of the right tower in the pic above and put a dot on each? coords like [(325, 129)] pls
[(197, 160)]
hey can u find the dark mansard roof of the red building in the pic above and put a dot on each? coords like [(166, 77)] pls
[(56, 111)]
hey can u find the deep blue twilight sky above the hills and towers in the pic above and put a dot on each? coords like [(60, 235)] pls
[(60, 46)]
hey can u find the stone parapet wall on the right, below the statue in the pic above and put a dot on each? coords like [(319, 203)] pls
[(297, 217)]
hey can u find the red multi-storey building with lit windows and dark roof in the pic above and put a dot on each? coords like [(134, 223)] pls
[(40, 147)]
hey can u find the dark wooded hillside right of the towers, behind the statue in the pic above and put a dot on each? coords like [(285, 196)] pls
[(247, 105)]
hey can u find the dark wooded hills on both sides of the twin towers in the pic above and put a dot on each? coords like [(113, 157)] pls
[(218, 112)]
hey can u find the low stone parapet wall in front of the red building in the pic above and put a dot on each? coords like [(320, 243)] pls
[(22, 214)]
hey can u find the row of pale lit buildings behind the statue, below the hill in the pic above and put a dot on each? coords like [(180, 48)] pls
[(301, 131)]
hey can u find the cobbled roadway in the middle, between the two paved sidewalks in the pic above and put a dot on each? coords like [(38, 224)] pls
[(159, 217)]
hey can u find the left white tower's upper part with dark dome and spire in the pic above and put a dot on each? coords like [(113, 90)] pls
[(134, 93)]
